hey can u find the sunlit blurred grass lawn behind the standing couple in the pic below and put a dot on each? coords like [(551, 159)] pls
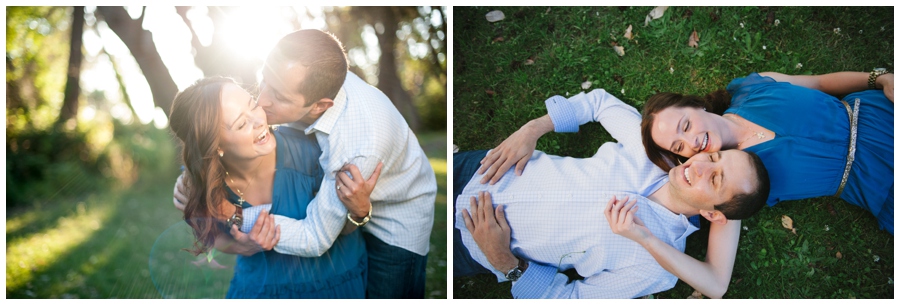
[(101, 244)]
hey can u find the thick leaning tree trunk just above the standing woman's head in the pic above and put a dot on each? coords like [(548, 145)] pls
[(140, 43)]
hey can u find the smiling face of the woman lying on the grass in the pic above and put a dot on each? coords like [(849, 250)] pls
[(686, 131)]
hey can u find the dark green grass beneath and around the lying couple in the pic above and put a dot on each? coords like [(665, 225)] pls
[(504, 71)]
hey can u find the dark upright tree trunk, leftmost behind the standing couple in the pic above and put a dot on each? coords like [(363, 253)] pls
[(73, 89)]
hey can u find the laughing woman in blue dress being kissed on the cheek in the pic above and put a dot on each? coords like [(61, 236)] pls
[(239, 168)]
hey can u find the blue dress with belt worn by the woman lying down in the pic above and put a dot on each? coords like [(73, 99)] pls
[(812, 135)]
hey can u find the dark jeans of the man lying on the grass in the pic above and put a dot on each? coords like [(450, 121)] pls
[(464, 166)]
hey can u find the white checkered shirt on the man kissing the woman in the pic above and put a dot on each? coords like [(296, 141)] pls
[(362, 128)]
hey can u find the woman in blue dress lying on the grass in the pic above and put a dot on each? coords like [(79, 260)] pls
[(812, 143)]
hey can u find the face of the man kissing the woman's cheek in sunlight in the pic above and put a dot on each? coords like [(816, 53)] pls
[(278, 93)]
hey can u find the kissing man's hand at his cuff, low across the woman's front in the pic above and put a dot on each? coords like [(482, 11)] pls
[(263, 237)]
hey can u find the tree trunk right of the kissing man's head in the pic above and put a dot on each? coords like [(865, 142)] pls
[(388, 80)]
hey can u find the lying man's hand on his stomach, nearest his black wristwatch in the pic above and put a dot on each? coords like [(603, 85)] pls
[(490, 231)]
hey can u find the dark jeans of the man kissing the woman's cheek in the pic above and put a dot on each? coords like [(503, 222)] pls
[(394, 272)]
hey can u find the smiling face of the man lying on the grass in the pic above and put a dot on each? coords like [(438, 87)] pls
[(709, 179)]
